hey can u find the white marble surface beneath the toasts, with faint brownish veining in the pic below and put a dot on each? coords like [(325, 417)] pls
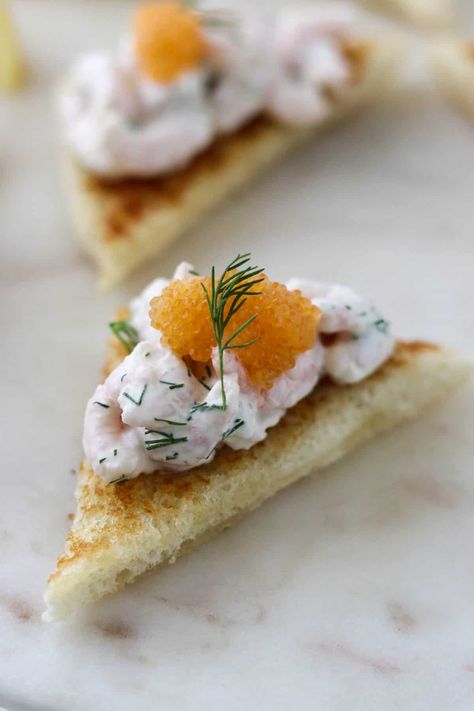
[(350, 591)]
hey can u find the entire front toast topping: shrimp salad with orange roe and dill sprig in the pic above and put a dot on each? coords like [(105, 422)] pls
[(218, 360)]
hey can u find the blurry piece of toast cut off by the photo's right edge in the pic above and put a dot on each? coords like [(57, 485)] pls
[(452, 60)]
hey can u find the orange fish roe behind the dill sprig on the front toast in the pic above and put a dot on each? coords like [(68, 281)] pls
[(286, 325)]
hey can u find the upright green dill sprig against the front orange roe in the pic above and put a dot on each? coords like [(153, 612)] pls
[(225, 298)]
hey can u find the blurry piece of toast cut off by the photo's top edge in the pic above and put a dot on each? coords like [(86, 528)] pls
[(425, 14)]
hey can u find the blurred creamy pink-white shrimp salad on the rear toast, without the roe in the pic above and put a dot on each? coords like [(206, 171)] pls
[(119, 123)]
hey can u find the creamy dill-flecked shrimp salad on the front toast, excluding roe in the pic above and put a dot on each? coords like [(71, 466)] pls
[(153, 413)]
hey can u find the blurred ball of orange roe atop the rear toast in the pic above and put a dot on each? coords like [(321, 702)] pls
[(168, 40)]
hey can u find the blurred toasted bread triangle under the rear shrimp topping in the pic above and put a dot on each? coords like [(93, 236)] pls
[(122, 224)]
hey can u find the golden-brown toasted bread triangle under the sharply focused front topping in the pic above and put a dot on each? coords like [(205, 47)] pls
[(121, 531)]
